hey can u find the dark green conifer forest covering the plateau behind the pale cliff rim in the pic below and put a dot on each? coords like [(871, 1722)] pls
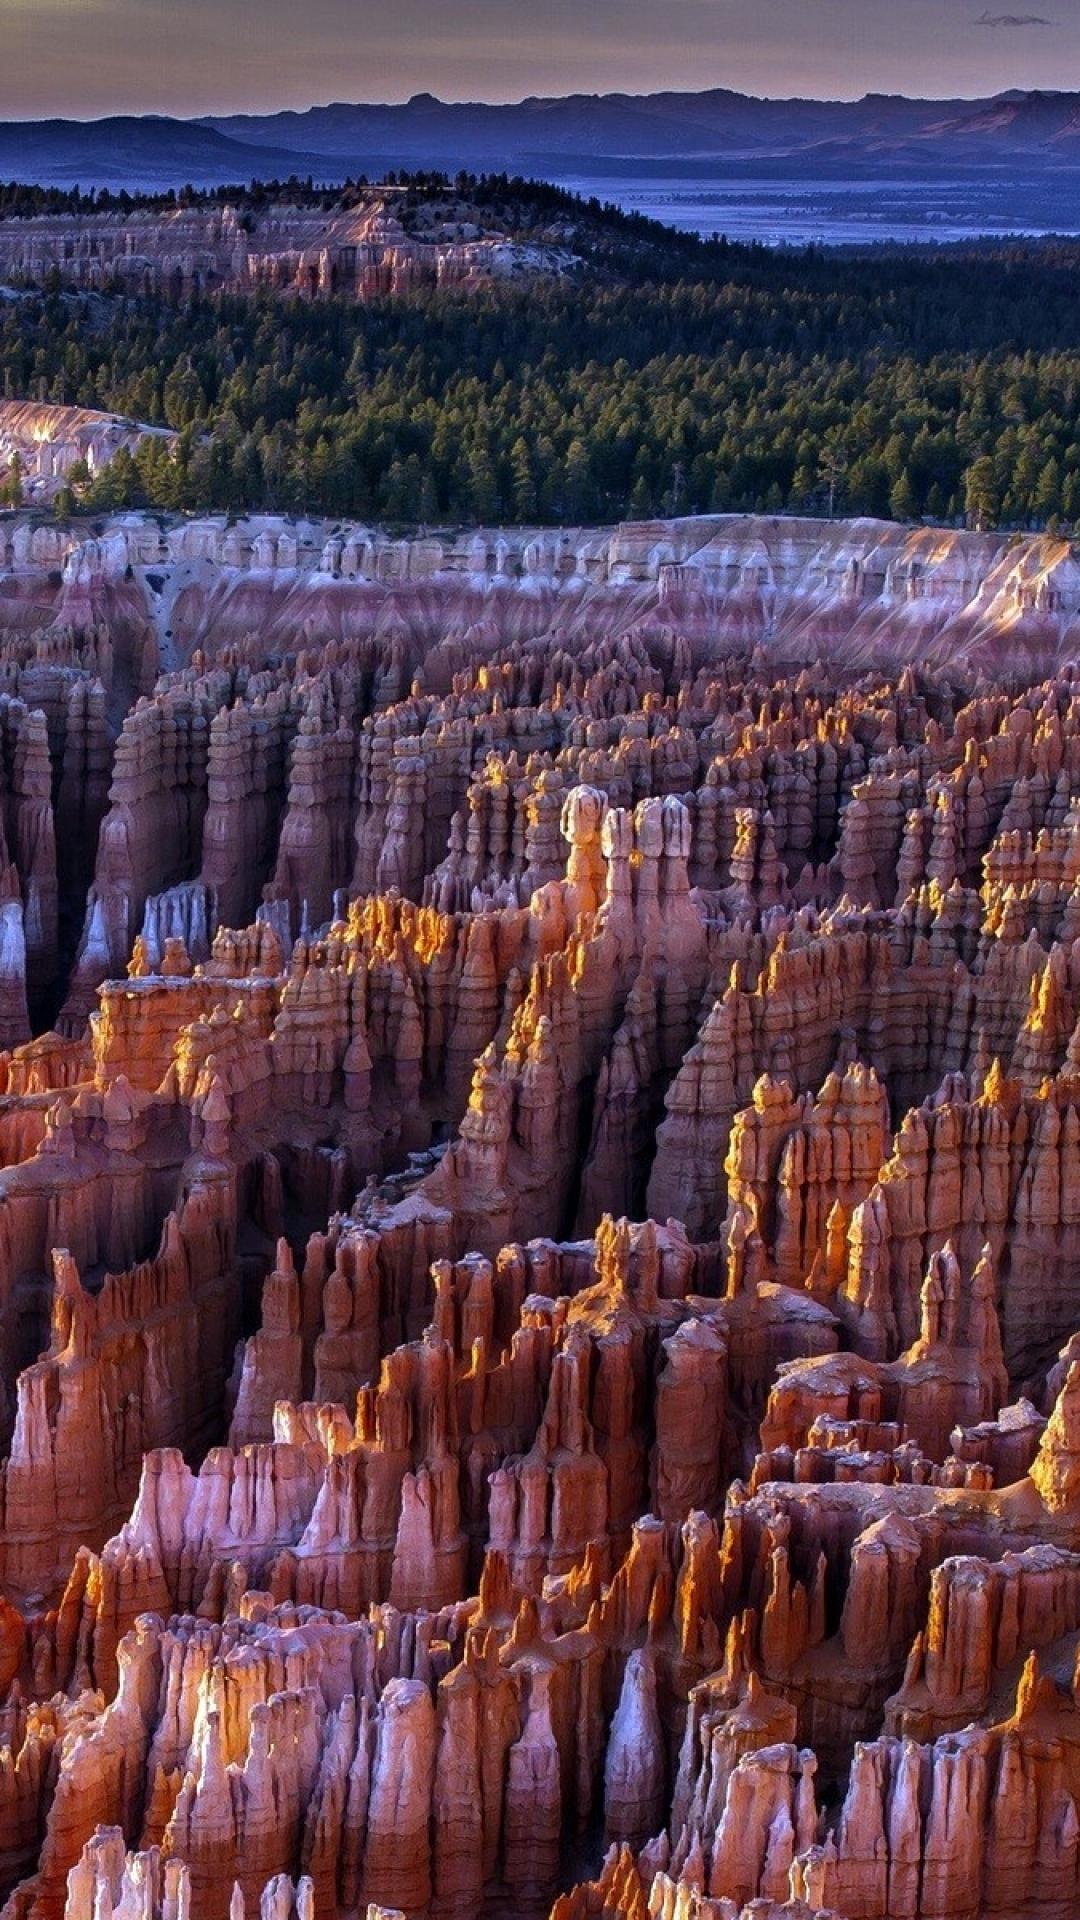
[(666, 379)]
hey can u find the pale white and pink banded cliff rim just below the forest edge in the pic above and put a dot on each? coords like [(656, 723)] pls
[(858, 594)]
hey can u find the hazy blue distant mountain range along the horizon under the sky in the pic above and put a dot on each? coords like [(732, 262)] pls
[(714, 133)]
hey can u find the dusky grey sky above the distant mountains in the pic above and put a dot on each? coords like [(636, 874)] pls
[(212, 57)]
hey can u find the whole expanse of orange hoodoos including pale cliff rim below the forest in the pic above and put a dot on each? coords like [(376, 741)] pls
[(539, 1226)]
